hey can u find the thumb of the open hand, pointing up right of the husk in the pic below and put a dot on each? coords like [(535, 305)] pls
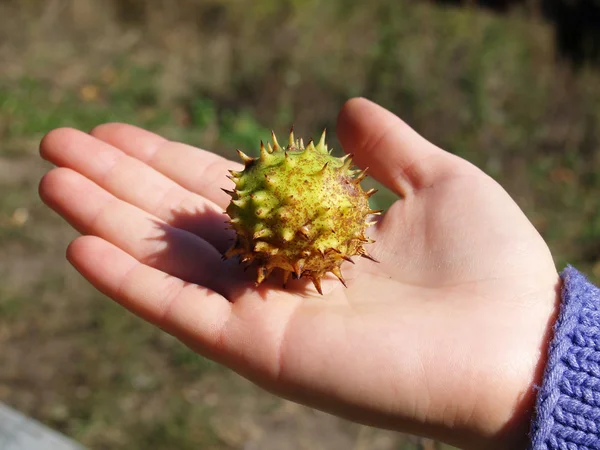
[(396, 155)]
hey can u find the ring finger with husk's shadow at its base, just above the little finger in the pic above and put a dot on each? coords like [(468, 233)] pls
[(92, 210)]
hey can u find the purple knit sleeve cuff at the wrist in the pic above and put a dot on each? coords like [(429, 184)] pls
[(567, 412)]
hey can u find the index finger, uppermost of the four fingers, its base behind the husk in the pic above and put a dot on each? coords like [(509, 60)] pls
[(196, 170)]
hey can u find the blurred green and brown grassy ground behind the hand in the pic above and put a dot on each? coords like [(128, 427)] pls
[(219, 74)]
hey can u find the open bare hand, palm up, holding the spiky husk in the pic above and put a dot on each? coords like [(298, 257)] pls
[(445, 337)]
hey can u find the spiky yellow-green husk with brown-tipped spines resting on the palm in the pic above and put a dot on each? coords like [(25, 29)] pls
[(299, 209)]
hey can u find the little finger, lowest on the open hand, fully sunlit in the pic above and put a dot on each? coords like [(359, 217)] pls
[(186, 310)]
